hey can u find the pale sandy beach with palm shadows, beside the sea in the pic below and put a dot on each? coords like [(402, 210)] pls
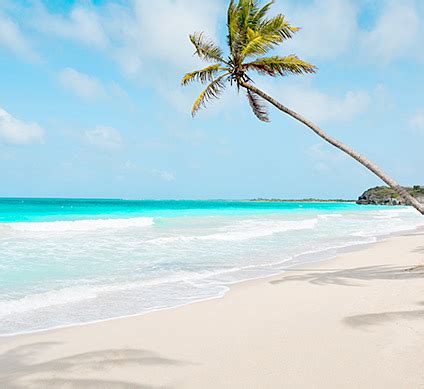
[(356, 321)]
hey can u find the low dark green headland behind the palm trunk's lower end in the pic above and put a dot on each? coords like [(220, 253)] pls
[(383, 195)]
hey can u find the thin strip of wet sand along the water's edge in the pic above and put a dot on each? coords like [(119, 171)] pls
[(317, 257)]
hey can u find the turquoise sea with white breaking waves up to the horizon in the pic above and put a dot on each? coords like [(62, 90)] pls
[(65, 262)]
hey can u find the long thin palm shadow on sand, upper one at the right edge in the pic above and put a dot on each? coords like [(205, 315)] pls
[(349, 277)]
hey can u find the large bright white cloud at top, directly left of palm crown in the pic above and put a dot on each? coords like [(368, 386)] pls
[(140, 44)]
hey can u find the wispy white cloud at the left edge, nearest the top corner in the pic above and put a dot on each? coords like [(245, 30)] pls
[(12, 38)]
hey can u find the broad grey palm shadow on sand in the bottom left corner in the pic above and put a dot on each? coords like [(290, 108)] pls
[(17, 369)]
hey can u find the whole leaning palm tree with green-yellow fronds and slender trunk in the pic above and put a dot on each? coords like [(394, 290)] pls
[(251, 35)]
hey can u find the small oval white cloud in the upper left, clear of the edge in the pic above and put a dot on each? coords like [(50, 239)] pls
[(81, 84)]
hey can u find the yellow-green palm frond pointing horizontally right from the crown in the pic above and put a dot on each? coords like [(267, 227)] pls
[(273, 66)]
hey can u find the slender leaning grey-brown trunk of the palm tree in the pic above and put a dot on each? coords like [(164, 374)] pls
[(361, 159)]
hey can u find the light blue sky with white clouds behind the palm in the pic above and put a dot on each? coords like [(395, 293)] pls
[(91, 105)]
